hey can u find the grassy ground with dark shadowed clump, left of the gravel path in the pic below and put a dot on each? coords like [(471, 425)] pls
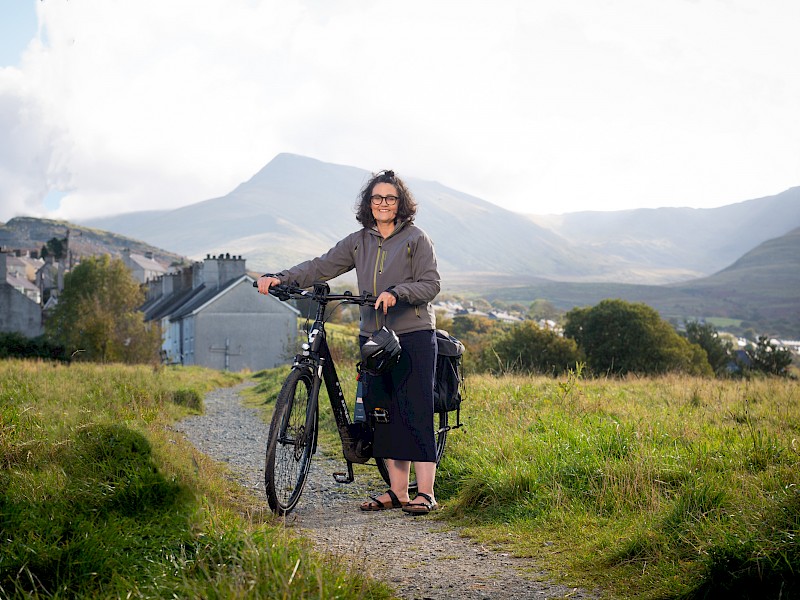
[(99, 499)]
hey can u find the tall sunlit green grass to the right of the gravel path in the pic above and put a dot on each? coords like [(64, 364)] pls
[(649, 488)]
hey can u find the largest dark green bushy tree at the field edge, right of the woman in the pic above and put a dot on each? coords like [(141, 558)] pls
[(620, 337)]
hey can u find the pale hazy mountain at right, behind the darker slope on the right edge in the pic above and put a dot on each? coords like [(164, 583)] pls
[(693, 242)]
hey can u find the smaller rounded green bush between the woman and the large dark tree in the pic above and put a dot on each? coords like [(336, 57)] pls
[(526, 348)]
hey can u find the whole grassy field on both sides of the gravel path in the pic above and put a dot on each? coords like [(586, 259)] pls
[(671, 487)]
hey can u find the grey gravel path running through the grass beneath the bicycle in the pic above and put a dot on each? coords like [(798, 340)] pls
[(420, 557)]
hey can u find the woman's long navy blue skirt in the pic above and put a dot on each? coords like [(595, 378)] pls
[(406, 392)]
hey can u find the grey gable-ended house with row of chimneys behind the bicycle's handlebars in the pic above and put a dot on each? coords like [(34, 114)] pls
[(210, 315)]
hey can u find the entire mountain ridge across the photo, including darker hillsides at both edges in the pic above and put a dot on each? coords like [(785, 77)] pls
[(280, 216)]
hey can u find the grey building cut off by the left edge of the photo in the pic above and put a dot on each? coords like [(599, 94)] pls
[(19, 310)]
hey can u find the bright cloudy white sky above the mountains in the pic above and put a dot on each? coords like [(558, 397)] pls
[(540, 107)]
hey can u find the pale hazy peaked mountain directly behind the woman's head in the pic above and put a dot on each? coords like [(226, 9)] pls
[(297, 207)]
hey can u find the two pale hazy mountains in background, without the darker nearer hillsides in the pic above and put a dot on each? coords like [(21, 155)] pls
[(297, 207)]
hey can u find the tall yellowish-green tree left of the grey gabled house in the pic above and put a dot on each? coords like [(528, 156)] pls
[(97, 315)]
